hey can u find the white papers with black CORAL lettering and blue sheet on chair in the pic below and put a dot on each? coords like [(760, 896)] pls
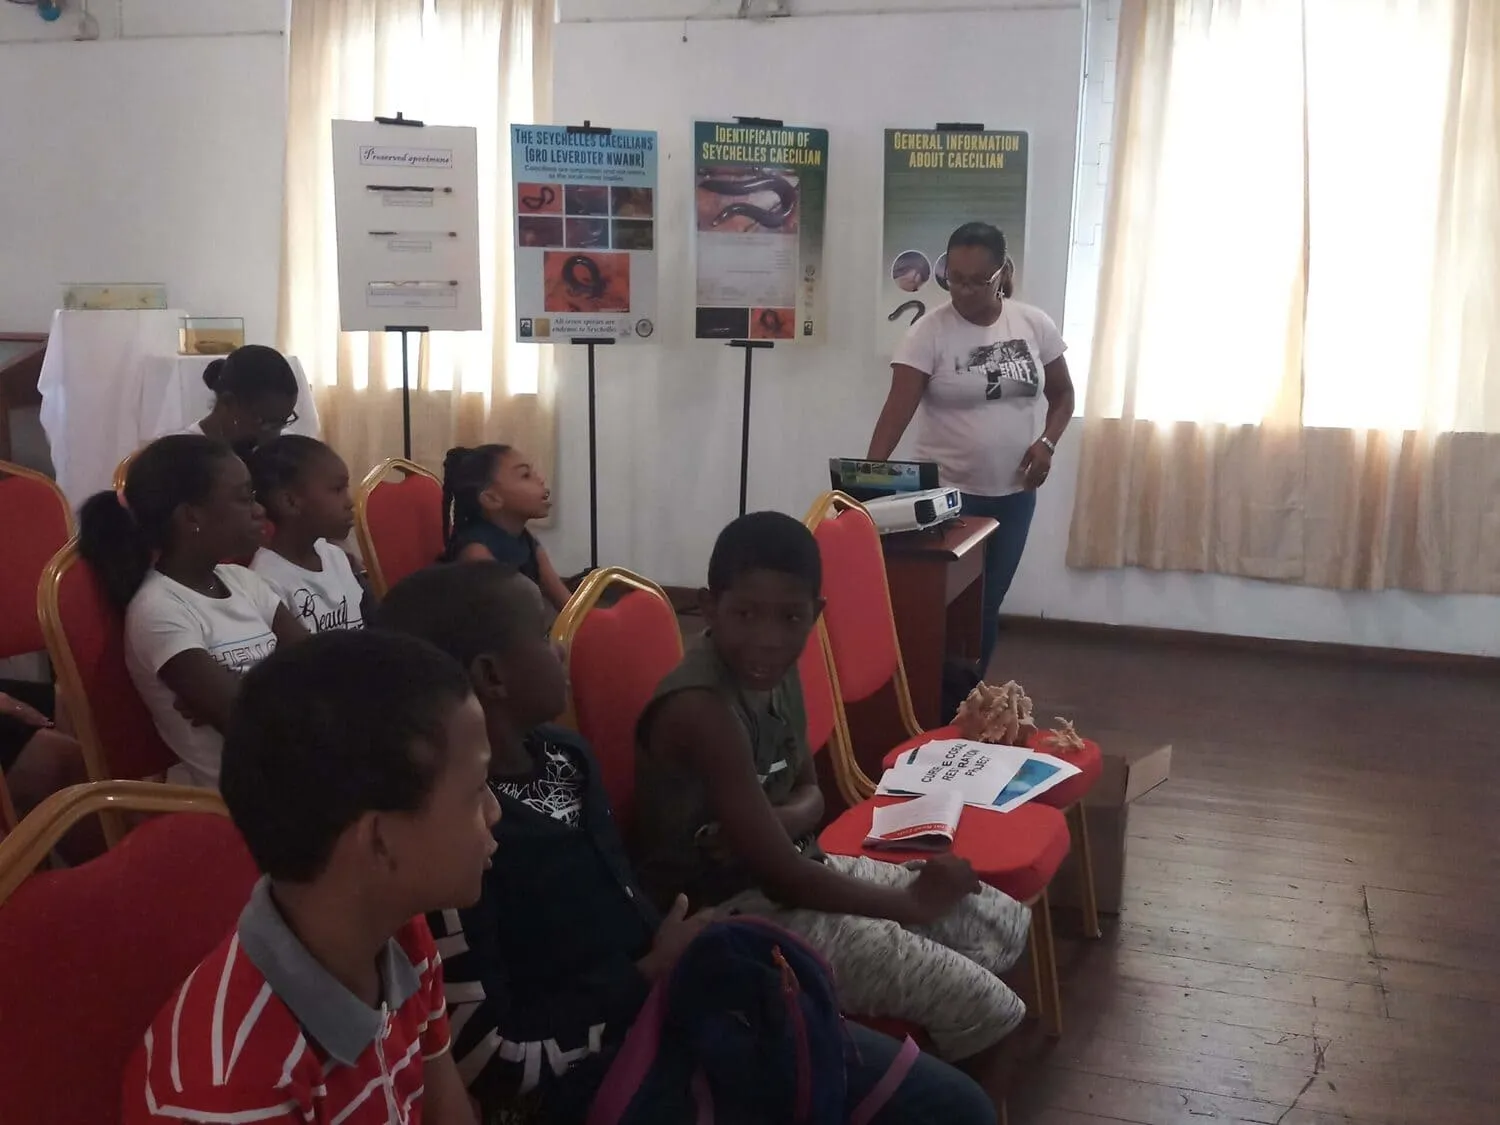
[(982, 773)]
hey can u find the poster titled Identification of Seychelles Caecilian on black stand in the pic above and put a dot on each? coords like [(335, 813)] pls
[(760, 194)]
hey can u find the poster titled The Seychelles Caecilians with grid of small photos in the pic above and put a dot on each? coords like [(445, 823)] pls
[(586, 233)]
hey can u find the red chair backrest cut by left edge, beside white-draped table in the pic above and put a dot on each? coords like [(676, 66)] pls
[(37, 526)]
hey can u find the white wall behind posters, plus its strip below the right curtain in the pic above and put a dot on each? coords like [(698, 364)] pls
[(670, 415)]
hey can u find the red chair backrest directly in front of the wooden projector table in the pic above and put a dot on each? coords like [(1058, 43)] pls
[(862, 631)]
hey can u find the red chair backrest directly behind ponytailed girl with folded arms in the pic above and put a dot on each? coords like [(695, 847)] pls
[(86, 640)]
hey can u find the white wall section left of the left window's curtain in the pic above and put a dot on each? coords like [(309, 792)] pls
[(151, 155)]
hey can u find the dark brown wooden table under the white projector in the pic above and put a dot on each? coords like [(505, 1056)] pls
[(938, 595)]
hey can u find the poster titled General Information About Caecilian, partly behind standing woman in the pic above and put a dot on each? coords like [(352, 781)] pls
[(935, 182)]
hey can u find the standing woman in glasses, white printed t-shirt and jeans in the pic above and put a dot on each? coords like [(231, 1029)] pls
[(977, 368)]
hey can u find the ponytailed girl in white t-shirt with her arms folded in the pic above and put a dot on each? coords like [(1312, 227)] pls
[(193, 625)]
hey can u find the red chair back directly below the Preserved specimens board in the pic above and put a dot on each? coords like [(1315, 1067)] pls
[(400, 523)]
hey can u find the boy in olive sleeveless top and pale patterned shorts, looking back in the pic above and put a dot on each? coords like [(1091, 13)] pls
[(728, 809)]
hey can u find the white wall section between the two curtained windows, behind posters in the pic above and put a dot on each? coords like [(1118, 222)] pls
[(670, 434)]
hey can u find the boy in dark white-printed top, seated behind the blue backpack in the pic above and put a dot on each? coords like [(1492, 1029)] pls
[(548, 973)]
